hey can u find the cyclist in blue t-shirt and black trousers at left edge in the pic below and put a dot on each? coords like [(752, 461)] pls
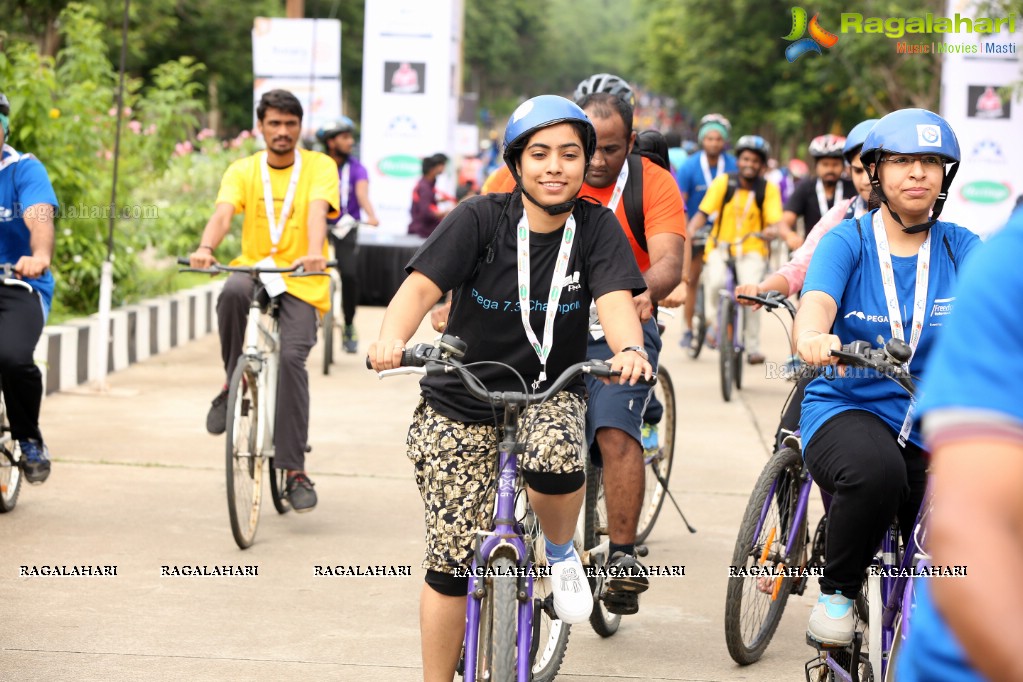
[(27, 208)]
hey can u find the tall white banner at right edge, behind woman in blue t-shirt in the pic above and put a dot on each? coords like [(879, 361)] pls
[(988, 123)]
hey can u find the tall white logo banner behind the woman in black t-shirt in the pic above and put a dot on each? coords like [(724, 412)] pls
[(412, 53)]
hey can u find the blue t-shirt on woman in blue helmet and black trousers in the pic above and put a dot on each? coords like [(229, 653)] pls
[(847, 267)]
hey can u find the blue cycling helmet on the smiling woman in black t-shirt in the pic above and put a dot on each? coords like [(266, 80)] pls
[(535, 115)]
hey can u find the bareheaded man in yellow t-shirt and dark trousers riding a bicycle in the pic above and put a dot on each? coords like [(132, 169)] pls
[(304, 190)]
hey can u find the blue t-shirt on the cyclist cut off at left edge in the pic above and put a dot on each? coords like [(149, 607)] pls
[(24, 184)]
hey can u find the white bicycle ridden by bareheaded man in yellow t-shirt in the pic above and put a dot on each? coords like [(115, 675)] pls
[(252, 404)]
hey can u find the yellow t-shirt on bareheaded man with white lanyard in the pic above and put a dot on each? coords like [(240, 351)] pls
[(243, 189)]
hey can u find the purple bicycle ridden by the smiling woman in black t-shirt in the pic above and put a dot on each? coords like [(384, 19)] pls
[(512, 630)]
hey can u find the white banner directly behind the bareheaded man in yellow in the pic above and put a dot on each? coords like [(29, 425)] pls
[(302, 57)]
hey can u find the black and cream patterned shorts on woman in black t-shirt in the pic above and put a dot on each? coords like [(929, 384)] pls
[(457, 469)]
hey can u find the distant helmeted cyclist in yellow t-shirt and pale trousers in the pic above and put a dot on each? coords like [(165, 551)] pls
[(742, 225)]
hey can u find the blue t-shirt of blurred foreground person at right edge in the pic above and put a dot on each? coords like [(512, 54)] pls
[(971, 369)]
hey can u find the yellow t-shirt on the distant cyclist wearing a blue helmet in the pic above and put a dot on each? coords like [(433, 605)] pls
[(744, 206)]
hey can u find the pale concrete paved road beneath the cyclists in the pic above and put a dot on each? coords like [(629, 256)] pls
[(140, 485)]
